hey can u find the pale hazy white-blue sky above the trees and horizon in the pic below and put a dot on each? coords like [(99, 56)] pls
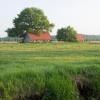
[(83, 15)]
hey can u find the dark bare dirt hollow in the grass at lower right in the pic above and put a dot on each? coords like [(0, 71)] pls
[(84, 87)]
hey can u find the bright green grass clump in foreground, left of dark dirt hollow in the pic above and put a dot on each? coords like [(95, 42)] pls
[(62, 88)]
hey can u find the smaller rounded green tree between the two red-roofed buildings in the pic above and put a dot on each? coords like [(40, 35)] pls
[(66, 34)]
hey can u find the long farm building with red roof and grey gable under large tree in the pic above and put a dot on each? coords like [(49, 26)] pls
[(30, 37)]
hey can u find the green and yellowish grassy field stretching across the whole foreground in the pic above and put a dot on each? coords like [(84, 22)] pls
[(50, 71)]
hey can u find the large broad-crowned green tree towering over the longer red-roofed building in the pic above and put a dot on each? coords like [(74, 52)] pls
[(30, 20)]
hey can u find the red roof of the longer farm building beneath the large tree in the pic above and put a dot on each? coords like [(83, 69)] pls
[(42, 36)]
